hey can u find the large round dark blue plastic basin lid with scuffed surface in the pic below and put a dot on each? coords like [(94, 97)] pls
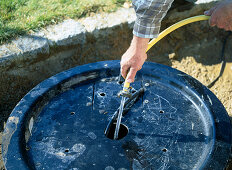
[(177, 124)]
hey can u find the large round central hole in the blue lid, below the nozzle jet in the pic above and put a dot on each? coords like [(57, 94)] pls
[(123, 131)]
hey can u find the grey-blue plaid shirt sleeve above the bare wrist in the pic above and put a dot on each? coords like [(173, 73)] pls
[(149, 16)]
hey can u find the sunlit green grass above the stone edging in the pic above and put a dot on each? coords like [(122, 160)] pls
[(18, 17)]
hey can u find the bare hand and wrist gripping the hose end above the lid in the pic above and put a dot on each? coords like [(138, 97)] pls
[(132, 60)]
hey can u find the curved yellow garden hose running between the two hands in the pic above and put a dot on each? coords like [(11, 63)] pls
[(169, 30)]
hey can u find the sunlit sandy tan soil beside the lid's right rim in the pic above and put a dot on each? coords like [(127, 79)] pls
[(206, 74)]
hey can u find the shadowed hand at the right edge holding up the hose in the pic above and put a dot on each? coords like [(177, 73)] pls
[(221, 15)]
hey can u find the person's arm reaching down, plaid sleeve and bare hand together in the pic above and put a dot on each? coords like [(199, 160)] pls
[(147, 25)]
